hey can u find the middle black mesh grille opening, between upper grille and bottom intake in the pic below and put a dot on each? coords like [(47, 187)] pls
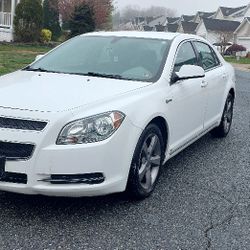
[(13, 151)]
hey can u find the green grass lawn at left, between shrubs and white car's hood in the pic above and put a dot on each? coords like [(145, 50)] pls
[(13, 57)]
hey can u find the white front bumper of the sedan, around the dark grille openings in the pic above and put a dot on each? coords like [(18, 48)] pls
[(111, 157)]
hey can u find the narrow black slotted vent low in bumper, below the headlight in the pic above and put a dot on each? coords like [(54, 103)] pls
[(92, 178)]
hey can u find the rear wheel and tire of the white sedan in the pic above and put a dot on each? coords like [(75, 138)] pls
[(226, 121)]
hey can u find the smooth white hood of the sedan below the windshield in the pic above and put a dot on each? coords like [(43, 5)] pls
[(50, 92)]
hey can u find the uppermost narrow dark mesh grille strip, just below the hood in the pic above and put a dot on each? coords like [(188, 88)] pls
[(12, 123)]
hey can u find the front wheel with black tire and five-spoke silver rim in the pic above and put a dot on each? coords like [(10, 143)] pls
[(146, 163)]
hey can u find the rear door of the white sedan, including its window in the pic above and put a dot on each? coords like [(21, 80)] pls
[(216, 79)]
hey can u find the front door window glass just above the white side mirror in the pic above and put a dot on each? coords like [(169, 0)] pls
[(185, 56)]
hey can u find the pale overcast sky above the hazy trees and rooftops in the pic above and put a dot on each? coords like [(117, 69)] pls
[(184, 6)]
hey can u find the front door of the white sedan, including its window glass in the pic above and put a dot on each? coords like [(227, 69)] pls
[(186, 111)]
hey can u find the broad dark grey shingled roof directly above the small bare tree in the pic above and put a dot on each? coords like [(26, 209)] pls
[(220, 25)]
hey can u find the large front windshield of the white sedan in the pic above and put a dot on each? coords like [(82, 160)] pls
[(138, 59)]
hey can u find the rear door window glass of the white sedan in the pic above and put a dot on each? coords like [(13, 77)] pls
[(207, 56)]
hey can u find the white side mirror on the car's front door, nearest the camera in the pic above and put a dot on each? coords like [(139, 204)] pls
[(188, 72)]
